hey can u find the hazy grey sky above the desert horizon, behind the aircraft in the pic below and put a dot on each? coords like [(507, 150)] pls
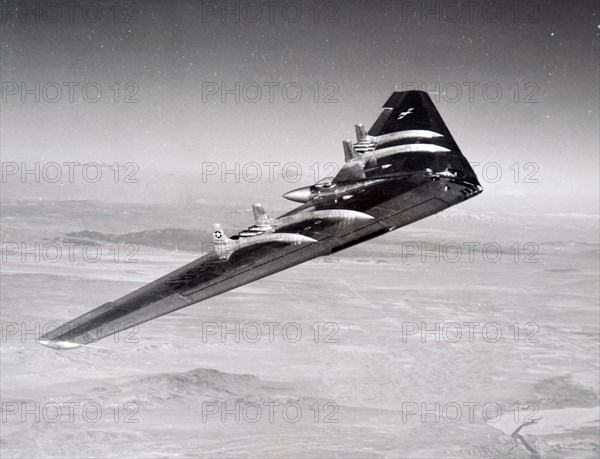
[(178, 93)]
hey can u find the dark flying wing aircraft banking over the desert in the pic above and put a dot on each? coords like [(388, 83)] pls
[(405, 168)]
